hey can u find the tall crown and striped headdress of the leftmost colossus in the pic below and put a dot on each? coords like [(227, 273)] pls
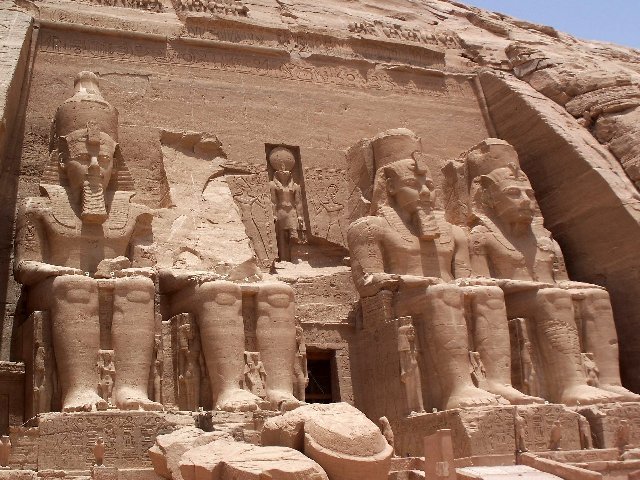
[(85, 117)]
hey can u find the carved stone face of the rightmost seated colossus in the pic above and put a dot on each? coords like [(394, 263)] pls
[(513, 200)]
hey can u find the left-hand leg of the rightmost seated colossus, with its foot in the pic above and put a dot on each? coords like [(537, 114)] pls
[(558, 339)]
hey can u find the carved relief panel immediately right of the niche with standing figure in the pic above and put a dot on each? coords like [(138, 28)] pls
[(326, 191)]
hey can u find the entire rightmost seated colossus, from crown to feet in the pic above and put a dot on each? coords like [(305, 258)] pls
[(506, 244)]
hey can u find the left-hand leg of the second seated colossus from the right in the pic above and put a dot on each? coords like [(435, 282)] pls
[(446, 335)]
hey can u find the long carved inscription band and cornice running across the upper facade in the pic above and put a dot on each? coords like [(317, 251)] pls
[(324, 73)]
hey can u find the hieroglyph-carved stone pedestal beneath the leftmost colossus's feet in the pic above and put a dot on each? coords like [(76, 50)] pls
[(67, 440)]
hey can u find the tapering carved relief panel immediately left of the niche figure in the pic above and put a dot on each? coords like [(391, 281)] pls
[(251, 194)]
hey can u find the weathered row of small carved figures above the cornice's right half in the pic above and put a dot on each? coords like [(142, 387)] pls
[(396, 31)]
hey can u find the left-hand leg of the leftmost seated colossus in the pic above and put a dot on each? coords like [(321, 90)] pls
[(76, 340)]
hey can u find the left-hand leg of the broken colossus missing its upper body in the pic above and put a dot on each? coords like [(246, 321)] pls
[(219, 315)]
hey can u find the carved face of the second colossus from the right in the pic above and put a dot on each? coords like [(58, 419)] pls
[(411, 189)]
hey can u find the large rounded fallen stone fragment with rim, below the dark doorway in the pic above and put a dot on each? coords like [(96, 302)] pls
[(352, 447)]
